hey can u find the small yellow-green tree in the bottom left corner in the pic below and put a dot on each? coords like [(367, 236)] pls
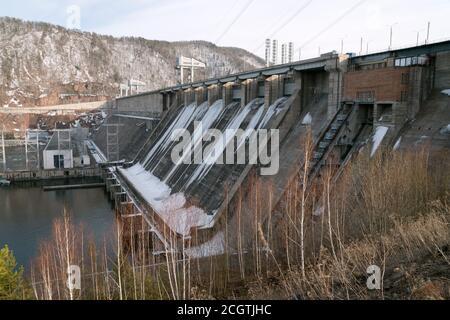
[(11, 277)]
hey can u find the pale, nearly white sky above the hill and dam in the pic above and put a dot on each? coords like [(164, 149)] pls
[(310, 24)]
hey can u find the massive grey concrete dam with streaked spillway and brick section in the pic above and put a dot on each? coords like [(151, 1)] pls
[(343, 103)]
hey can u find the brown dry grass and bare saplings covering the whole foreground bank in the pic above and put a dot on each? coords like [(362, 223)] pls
[(392, 211)]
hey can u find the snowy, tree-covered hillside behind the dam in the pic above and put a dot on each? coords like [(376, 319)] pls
[(44, 64)]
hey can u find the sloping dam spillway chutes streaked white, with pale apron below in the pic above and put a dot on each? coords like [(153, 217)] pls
[(170, 188)]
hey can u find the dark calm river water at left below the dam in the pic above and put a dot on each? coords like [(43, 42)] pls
[(27, 214)]
